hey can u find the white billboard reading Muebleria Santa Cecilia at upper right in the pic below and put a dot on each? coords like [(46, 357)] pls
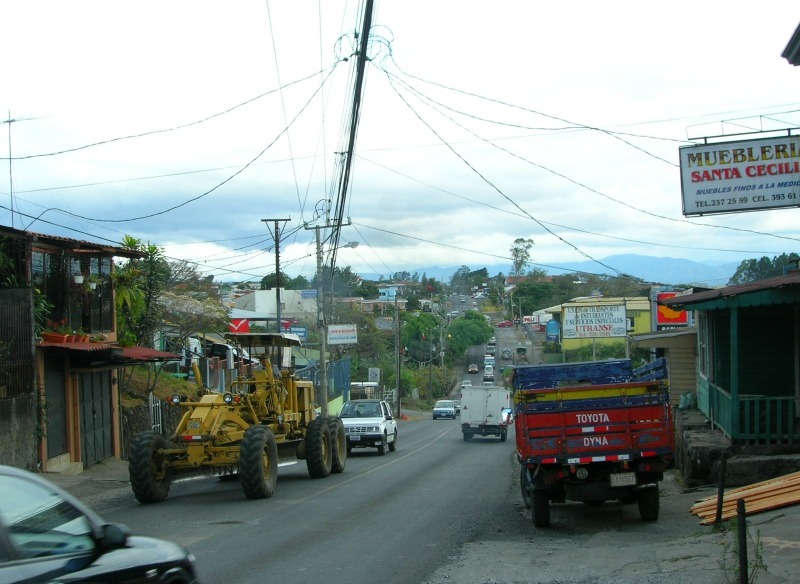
[(748, 175)]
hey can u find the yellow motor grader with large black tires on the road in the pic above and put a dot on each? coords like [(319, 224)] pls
[(263, 416)]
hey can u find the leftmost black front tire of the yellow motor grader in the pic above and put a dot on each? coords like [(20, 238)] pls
[(148, 471)]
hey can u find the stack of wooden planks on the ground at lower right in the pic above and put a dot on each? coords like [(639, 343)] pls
[(772, 494)]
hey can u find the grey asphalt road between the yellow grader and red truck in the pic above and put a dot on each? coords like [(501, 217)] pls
[(394, 518)]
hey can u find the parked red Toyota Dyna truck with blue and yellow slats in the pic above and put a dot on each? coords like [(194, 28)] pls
[(590, 432)]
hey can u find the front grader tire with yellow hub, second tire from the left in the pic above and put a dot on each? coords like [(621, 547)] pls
[(258, 463)]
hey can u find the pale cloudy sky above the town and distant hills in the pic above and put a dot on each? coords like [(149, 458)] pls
[(194, 125)]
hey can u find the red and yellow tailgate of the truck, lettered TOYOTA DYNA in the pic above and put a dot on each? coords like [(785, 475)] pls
[(568, 425)]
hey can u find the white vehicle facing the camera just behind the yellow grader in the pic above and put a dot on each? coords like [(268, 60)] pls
[(369, 423)]
